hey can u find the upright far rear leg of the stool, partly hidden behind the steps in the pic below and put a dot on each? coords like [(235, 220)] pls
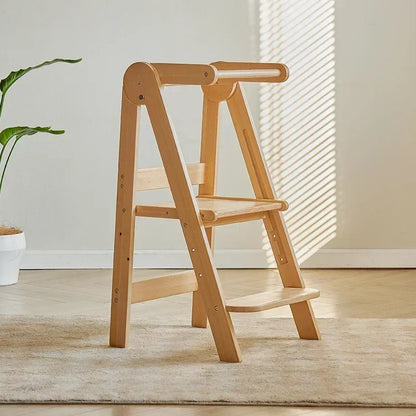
[(209, 156)]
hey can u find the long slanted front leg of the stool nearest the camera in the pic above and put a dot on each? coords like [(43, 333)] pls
[(188, 211)]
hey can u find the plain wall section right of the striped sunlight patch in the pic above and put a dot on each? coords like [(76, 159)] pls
[(376, 124)]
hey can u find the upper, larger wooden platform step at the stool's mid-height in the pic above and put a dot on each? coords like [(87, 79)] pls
[(217, 210)]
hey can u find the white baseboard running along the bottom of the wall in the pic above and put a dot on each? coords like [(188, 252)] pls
[(238, 259)]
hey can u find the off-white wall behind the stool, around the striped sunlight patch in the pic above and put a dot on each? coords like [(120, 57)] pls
[(61, 190)]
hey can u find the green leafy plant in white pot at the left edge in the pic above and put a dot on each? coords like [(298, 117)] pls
[(12, 240)]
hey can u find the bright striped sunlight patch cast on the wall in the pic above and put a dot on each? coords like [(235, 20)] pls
[(297, 118)]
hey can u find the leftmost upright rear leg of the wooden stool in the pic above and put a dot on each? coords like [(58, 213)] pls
[(125, 222)]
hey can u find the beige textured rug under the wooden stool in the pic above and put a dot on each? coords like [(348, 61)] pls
[(359, 362)]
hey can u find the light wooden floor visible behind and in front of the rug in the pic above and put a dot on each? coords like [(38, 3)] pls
[(344, 293)]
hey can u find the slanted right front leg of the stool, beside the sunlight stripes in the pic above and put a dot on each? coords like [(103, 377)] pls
[(274, 223)]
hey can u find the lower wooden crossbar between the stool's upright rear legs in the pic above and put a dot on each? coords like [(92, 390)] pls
[(164, 286)]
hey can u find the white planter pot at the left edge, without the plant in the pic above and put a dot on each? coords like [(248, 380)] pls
[(11, 253)]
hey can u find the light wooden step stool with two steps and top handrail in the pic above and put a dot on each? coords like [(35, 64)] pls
[(199, 215)]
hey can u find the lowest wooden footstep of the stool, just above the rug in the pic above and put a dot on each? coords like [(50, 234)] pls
[(271, 299)]
